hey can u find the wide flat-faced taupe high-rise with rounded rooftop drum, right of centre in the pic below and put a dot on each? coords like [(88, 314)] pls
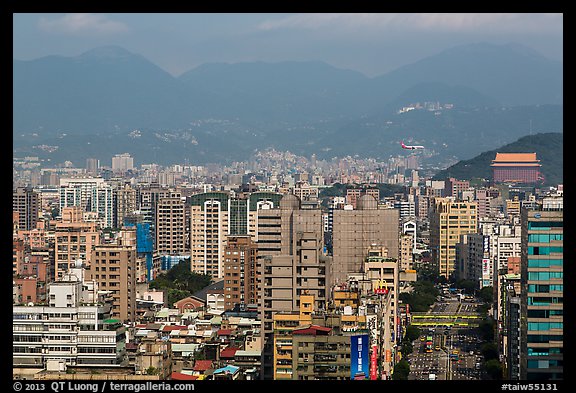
[(354, 231)]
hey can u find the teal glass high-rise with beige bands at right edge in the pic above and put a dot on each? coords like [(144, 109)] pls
[(542, 280)]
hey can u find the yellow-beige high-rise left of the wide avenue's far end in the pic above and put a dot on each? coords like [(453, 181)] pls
[(449, 218)]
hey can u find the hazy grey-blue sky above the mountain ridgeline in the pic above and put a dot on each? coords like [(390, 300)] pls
[(372, 43)]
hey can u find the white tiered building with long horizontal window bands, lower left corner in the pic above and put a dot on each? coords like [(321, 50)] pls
[(73, 329)]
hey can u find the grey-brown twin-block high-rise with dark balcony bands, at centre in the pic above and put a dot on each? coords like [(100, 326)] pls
[(291, 264)]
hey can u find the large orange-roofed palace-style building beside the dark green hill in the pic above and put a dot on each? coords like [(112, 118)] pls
[(516, 168)]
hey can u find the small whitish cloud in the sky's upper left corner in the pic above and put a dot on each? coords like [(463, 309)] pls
[(82, 23)]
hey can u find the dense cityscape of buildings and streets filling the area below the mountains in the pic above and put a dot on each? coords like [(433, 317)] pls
[(286, 268)]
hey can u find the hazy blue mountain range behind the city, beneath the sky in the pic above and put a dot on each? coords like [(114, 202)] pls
[(109, 100)]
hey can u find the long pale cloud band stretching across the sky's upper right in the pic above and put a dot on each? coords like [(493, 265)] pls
[(440, 22)]
